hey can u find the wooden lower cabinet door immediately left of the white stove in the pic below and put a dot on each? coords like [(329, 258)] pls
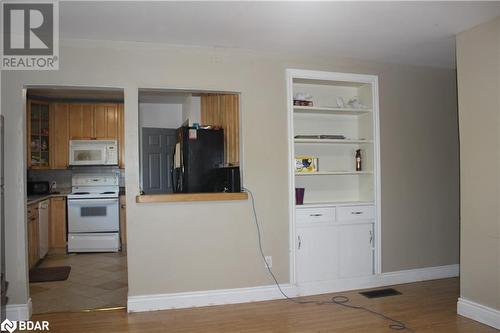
[(57, 225)]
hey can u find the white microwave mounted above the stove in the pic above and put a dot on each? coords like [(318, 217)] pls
[(93, 152)]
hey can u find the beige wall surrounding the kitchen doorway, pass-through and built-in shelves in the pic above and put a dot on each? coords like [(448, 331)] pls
[(200, 246)]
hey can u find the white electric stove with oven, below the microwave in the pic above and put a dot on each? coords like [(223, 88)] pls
[(93, 213)]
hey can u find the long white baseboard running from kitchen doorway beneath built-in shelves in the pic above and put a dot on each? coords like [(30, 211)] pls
[(242, 295)]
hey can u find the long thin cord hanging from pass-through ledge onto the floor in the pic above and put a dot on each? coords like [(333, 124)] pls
[(335, 300)]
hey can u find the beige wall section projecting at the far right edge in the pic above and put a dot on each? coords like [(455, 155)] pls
[(478, 67)]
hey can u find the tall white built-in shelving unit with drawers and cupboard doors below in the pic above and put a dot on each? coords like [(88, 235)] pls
[(338, 223)]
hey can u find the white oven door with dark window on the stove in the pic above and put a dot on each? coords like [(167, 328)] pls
[(93, 215)]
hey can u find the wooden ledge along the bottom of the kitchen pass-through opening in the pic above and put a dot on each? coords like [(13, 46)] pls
[(190, 197)]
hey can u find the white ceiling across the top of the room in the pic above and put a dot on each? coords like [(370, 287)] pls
[(418, 33)]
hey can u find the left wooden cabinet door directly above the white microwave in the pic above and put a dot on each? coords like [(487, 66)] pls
[(81, 121)]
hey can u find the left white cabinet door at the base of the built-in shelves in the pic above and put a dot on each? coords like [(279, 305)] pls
[(317, 253)]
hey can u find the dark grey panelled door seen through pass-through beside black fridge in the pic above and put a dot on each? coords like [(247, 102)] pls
[(158, 146)]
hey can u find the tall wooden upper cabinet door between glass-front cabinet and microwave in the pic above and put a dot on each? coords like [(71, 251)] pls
[(59, 135)]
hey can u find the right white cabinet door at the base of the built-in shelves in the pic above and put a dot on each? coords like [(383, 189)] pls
[(356, 250)]
